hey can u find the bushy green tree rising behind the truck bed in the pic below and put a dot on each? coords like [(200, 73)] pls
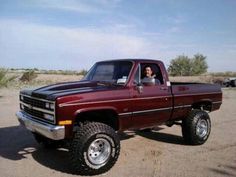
[(184, 66)]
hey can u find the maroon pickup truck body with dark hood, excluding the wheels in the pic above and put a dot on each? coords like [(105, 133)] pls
[(121, 106)]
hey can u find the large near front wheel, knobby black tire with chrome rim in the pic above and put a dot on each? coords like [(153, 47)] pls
[(94, 149)]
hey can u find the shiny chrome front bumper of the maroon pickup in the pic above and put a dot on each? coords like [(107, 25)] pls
[(50, 131)]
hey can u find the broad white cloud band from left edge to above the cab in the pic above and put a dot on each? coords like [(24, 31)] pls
[(44, 46)]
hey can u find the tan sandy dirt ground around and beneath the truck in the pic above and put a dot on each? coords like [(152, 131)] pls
[(160, 153)]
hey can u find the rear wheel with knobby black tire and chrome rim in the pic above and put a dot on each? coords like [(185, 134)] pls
[(196, 127)]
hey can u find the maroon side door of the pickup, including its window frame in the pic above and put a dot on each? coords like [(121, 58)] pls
[(152, 99)]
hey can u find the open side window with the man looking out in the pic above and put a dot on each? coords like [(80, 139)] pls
[(151, 74)]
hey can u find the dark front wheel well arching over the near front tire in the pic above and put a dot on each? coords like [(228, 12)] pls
[(108, 117)]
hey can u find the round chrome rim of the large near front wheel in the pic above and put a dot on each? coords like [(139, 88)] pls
[(99, 151)]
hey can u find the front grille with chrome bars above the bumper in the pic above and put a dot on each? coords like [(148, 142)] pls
[(36, 108)]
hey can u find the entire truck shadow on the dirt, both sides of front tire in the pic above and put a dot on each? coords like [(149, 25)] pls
[(16, 143)]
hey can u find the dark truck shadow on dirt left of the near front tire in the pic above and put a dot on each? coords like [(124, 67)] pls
[(16, 144)]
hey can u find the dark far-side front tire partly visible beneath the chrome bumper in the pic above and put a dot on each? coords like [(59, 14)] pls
[(46, 142)]
